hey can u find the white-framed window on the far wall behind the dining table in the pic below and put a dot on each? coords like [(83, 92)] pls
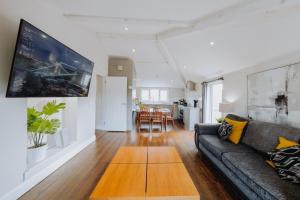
[(154, 95)]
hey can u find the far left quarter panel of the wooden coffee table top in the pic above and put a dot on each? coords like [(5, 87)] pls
[(130, 154)]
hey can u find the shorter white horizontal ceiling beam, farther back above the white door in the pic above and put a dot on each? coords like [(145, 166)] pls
[(127, 36)]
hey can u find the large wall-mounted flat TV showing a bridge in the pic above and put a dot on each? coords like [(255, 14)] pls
[(44, 67)]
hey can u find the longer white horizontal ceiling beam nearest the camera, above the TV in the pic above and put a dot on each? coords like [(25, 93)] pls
[(147, 21)]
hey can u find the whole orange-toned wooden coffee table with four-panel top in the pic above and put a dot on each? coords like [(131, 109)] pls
[(154, 173)]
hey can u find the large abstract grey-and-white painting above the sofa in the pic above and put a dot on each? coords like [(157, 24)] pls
[(273, 95)]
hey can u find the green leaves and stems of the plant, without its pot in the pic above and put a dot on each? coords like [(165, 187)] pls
[(39, 124)]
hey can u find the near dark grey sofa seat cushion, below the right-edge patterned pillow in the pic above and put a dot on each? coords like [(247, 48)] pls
[(252, 169)]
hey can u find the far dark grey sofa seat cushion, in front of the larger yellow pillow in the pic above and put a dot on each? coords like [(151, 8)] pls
[(217, 146)]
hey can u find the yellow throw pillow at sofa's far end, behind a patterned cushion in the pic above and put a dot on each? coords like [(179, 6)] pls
[(237, 130)]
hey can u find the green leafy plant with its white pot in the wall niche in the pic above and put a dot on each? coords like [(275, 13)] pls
[(39, 123)]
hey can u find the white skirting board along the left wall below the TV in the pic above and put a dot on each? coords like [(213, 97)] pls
[(34, 180)]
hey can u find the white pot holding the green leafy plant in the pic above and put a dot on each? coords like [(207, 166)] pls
[(35, 155)]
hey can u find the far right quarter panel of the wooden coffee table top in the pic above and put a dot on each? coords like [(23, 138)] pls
[(163, 155)]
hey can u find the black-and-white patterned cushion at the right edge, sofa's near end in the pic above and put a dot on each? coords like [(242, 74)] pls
[(287, 163)]
